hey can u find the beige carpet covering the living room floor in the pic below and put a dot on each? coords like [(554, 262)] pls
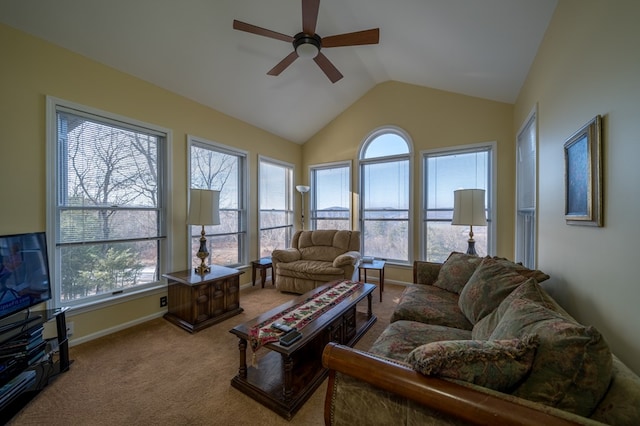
[(158, 374)]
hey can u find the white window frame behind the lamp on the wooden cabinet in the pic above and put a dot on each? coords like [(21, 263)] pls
[(242, 199)]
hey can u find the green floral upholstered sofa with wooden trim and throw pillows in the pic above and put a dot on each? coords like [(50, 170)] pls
[(479, 341)]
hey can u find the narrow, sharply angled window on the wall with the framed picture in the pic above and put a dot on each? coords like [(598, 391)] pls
[(526, 194)]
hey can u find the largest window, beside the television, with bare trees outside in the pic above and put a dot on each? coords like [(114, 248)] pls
[(107, 203)]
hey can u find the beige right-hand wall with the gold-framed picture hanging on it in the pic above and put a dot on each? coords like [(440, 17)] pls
[(589, 64)]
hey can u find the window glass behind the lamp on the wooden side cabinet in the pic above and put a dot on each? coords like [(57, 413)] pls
[(218, 167)]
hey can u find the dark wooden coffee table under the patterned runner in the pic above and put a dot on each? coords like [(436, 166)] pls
[(286, 377)]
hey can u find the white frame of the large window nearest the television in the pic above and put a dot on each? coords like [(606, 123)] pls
[(86, 304)]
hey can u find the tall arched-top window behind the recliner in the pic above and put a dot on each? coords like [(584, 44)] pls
[(385, 188)]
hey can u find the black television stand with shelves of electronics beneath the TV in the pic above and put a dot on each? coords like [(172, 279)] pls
[(28, 376)]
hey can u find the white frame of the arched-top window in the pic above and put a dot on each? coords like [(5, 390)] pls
[(363, 162)]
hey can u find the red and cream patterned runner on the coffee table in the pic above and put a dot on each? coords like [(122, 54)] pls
[(300, 315)]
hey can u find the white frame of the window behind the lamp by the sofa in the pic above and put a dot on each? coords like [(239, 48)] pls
[(491, 148)]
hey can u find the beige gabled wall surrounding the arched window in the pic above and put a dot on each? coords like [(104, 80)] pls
[(433, 119)]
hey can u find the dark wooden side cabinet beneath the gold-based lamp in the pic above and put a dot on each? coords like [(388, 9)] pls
[(197, 301)]
